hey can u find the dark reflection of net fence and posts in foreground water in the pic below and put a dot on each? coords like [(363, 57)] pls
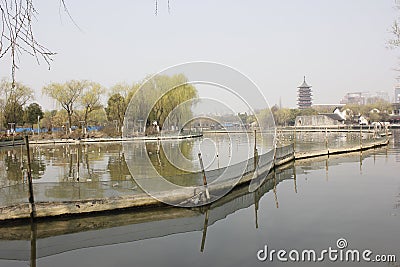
[(53, 237)]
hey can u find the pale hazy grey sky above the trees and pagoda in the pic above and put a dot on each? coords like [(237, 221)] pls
[(340, 45)]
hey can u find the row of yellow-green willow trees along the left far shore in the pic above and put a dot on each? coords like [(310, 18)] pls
[(85, 105)]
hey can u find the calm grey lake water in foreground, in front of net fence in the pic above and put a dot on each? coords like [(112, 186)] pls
[(306, 205)]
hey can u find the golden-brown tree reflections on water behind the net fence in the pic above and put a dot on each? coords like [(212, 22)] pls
[(107, 161)]
